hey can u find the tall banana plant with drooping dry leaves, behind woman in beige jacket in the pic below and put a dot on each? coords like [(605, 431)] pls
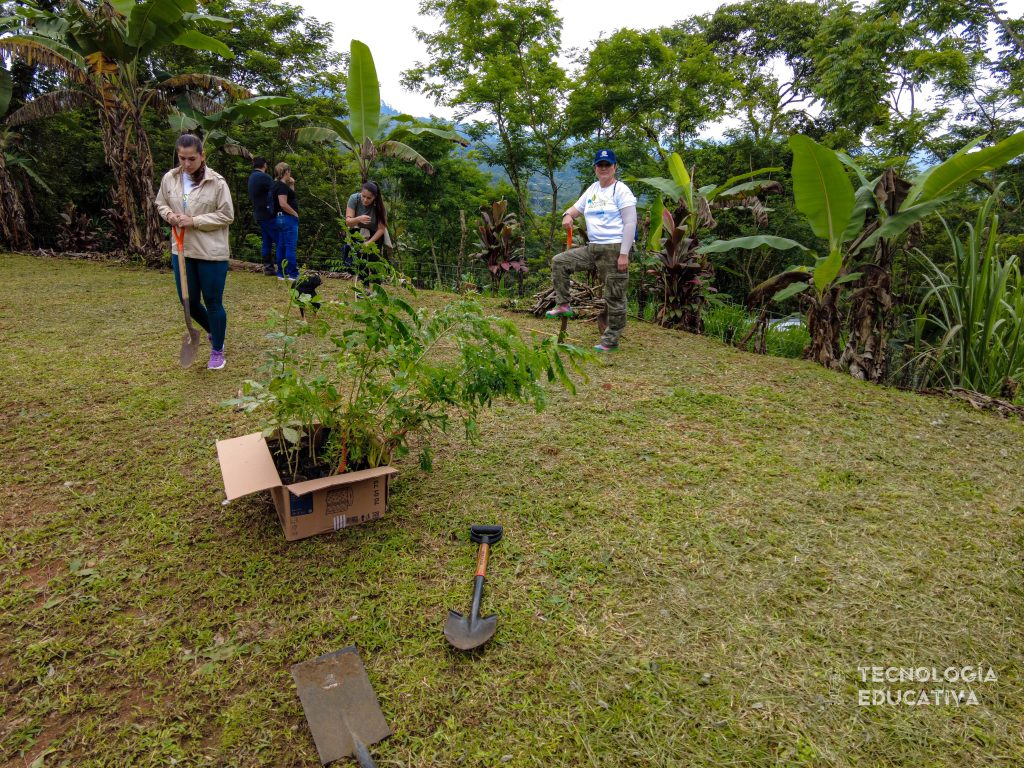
[(105, 54)]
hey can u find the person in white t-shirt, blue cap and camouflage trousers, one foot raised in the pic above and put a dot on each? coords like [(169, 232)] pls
[(611, 212)]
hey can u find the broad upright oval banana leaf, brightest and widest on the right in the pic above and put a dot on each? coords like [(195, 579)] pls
[(822, 189)]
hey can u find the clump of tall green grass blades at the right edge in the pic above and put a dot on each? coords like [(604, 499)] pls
[(971, 321)]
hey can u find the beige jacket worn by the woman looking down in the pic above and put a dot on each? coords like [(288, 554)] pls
[(211, 208)]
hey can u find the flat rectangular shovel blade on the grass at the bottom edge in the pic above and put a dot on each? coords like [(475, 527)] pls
[(340, 706)]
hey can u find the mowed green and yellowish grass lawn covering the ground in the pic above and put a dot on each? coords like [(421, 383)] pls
[(703, 547)]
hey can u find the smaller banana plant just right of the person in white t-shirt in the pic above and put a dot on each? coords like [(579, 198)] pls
[(686, 274)]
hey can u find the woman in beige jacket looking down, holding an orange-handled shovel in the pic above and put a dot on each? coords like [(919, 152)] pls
[(195, 200)]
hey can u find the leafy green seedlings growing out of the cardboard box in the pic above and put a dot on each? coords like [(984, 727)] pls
[(375, 371)]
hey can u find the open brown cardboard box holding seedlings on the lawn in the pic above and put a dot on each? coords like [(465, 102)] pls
[(305, 508)]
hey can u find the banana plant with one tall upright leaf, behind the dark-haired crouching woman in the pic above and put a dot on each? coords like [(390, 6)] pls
[(368, 135)]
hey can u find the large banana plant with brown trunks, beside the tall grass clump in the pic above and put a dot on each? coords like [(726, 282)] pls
[(861, 227)]
